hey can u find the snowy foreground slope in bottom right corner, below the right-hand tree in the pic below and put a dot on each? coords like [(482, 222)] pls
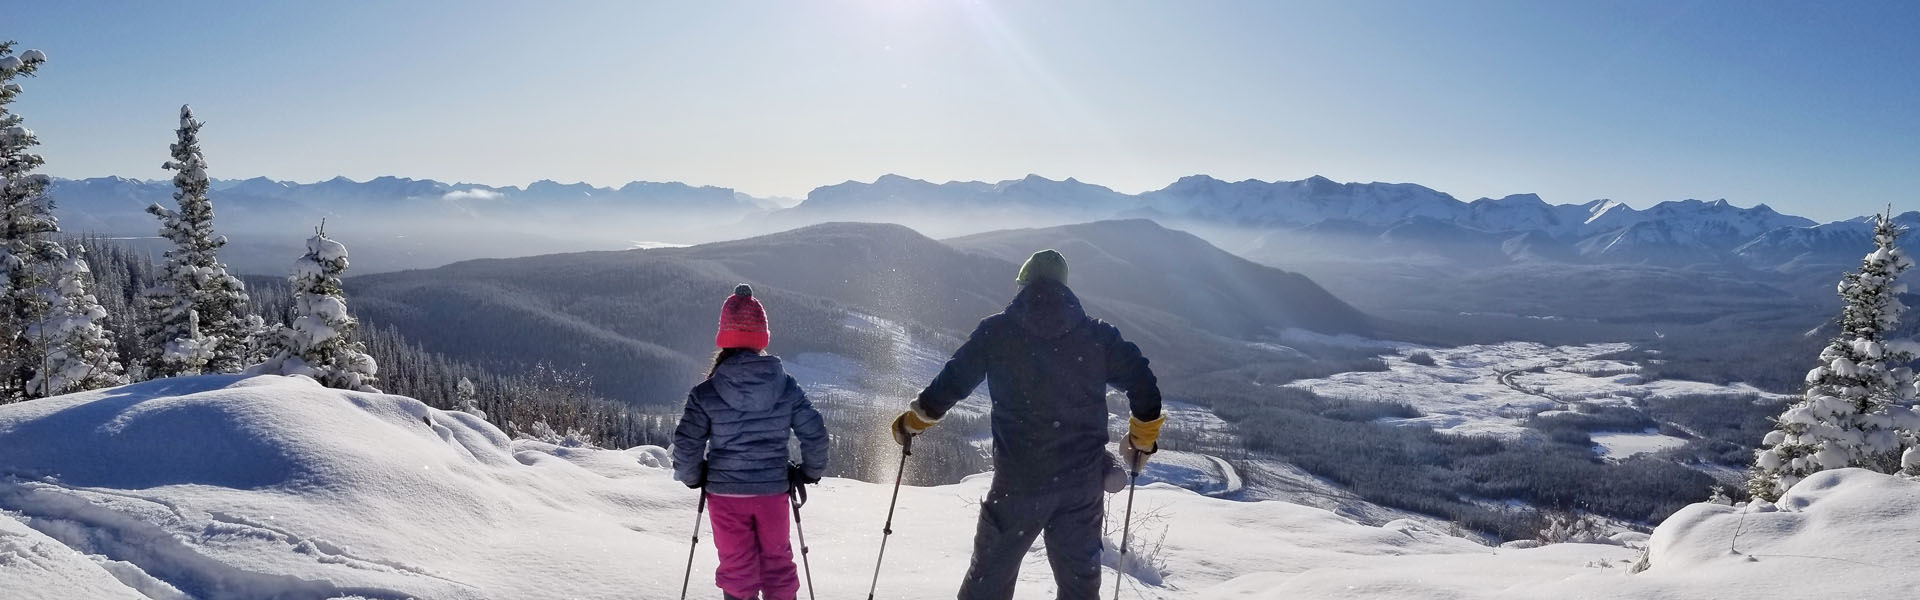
[(1842, 534)]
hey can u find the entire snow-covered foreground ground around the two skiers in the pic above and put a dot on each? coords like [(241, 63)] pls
[(276, 487)]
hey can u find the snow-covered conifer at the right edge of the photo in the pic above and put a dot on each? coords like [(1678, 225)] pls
[(1858, 411)]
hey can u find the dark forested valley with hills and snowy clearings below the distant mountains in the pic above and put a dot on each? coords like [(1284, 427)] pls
[(1264, 364)]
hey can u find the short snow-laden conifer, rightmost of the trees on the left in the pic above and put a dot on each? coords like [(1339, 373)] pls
[(320, 341)]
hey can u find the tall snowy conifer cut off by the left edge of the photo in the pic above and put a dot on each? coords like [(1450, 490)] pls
[(26, 220)]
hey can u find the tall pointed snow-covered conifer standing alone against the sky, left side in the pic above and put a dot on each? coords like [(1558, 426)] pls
[(199, 311)]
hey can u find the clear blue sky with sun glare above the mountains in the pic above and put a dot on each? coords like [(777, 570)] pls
[(1810, 107)]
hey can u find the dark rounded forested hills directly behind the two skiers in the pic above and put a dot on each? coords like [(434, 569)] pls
[(640, 322)]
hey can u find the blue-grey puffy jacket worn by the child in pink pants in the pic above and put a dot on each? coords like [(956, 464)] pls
[(736, 430)]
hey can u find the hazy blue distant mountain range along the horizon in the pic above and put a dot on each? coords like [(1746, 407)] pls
[(1264, 220)]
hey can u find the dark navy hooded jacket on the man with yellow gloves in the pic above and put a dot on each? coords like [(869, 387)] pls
[(1047, 368)]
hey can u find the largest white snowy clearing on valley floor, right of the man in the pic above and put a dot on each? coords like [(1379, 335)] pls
[(1491, 389)]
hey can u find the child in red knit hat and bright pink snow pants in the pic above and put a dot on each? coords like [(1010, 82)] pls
[(734, 443)]
